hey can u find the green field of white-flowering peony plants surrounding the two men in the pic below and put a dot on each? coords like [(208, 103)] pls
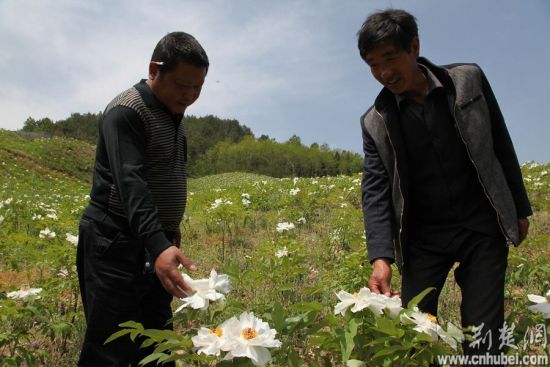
[(290, 264)]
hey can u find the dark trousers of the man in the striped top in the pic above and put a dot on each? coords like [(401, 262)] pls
[(114, 289)]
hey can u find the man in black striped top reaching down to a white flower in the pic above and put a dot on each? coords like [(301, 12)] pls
[(128, 250)]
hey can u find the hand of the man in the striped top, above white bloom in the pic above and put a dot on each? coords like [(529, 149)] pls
[(166, 267)]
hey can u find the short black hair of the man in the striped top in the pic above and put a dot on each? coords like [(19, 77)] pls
[(179, 47)]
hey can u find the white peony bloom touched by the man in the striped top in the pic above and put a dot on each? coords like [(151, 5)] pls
[(205, 290)]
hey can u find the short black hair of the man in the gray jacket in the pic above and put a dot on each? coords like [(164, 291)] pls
[(391, 25)]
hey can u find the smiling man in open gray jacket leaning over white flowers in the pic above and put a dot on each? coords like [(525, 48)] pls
[(441, 181)]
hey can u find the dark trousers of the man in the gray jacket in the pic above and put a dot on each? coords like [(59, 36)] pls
[(480, 276)]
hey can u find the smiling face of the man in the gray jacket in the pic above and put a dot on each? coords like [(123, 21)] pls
[(394, 68)]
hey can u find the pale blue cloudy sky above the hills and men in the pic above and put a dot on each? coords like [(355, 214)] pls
[(279, 67)]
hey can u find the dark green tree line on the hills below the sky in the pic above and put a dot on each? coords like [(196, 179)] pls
[(224, 145)]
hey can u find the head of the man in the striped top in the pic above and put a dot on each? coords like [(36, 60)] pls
[(177, 71)]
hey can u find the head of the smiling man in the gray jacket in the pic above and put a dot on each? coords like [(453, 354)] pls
[(388, 42)]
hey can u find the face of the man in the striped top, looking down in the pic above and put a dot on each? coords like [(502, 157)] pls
[(179, 88)]
